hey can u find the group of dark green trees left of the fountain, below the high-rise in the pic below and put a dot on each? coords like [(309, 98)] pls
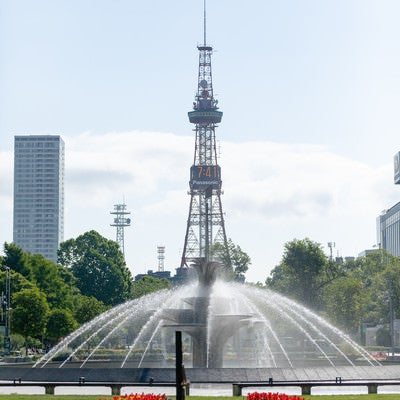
[(49, 300)]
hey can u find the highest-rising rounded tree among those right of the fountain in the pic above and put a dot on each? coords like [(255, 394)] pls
[(303, 272)]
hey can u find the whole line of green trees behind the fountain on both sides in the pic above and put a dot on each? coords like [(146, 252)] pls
[(49, 300)]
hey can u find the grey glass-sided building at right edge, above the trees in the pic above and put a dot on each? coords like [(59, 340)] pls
[(388, 230)]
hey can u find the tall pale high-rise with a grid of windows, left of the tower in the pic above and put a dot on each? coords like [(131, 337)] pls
[(39, 194)]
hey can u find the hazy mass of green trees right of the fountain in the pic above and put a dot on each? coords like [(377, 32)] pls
[(351, 294)]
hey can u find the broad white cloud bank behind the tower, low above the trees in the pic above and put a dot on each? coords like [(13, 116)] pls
[(273, 193)]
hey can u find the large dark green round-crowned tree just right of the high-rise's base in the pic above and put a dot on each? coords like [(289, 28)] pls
[(99, 267)]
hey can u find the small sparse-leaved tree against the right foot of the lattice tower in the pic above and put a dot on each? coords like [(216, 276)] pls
[(235, 261)]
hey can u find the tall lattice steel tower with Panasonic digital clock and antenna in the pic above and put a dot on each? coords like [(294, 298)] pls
[(205, 224)]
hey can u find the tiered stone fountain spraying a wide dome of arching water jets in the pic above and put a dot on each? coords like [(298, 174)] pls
[(224, 325)]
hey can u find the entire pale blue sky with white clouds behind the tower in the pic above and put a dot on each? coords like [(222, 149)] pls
[(310, 92)]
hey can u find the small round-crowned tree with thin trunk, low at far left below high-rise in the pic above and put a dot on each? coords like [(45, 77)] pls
[(30, 313)]
